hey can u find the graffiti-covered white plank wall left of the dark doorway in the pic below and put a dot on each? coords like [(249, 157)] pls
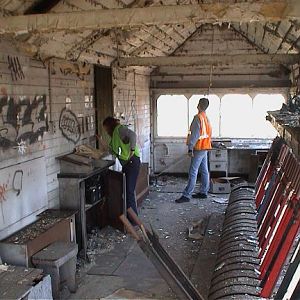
[(50, 143)]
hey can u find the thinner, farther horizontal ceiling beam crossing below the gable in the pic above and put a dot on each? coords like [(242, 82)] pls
[(287, 59)]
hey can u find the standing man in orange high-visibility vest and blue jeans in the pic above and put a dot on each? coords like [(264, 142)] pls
[(198, 141)]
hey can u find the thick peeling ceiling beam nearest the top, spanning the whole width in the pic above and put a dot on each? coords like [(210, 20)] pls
[(167, 14)]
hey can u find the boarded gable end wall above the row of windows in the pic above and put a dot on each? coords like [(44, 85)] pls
[(218, 40)]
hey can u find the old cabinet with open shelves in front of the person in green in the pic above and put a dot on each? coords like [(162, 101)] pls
[(98, 197)]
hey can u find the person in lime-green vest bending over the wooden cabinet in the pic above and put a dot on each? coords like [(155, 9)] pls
[(123, 146)]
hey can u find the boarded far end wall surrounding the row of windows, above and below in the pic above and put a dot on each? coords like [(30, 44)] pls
[(193, 80)]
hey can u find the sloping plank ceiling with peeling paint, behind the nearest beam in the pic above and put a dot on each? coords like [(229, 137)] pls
[(104, 45)]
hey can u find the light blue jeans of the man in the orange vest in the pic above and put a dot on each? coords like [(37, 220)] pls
[(198, 163)]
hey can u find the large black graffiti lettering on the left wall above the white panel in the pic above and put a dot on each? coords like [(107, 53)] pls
[(22, 120)]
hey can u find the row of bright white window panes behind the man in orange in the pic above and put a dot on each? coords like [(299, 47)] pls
[(232, 116)]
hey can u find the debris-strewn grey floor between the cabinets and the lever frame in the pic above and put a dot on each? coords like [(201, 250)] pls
[(118, 268)]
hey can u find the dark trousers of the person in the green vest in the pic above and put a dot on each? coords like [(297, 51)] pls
[(131, 170)]
